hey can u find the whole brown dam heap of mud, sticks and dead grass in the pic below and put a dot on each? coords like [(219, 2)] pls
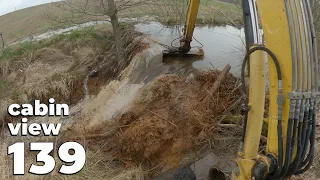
[(167, 120)]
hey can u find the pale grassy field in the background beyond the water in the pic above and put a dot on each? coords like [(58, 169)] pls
[(27, 22)]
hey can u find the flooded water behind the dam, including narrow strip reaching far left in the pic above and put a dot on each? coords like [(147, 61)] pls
[(221, 45)]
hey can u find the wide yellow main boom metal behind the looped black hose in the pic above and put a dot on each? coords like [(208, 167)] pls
[(277, 37)]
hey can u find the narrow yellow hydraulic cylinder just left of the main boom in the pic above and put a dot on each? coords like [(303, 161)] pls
[(257, 91)]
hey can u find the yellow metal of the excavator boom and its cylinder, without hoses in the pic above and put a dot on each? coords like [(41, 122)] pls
[(277, 38)]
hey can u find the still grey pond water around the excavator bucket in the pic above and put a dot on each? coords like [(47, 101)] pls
[(221, 45)]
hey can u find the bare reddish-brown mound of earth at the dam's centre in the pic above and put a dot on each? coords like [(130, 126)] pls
[(170, 117)]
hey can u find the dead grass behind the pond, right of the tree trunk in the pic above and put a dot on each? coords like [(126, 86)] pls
[(172, 13)]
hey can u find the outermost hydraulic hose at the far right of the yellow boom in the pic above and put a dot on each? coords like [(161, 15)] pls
[(309, 127)]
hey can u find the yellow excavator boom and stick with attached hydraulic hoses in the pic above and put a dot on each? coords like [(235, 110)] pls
[(291, 47)]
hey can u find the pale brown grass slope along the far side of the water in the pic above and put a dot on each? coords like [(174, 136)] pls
[(32, 21)]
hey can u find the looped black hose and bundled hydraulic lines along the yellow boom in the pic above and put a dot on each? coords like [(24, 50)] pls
[(303, 105)]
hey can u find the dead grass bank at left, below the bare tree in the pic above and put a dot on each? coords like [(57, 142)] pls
[(58, 66)]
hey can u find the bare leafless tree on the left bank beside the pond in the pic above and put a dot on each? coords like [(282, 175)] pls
[(88, 10)]
